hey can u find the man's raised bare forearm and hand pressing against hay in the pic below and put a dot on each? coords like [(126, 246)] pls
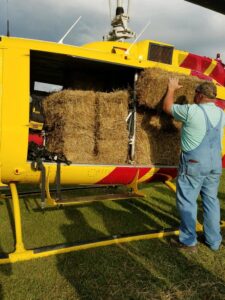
[(173, 85)]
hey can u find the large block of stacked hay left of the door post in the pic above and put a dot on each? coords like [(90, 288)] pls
[(88, 127)]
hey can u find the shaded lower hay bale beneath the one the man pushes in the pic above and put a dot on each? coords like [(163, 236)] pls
[(157, 139)]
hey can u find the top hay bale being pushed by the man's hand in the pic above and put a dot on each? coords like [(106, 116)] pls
[(152, 86)]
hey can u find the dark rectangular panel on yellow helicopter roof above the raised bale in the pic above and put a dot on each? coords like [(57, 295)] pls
[(160, 53)]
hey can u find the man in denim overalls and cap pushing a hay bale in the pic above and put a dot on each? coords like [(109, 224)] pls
[(200, 162)]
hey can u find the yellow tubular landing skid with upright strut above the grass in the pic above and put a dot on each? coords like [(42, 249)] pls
[(23, 254)]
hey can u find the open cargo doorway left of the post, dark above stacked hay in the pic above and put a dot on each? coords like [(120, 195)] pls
[(88, 82)]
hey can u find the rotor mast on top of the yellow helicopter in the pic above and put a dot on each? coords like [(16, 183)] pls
[(119, 23)]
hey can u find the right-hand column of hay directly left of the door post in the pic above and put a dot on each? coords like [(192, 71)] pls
[(111, 127)]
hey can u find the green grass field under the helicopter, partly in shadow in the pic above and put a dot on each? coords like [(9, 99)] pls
[(150, 269)]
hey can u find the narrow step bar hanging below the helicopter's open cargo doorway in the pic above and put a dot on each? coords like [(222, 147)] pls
[(93, 198)]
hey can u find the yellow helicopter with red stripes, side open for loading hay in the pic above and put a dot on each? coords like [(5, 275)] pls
[(24, 63)]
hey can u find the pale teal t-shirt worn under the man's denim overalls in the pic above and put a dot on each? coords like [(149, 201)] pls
[(194, 125)]
